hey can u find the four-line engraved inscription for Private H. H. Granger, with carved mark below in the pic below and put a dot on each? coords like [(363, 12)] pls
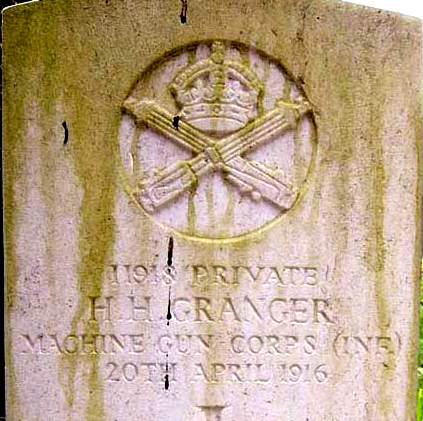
[(281, 332)]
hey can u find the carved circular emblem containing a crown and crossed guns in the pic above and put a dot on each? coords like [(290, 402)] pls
[(216, 141)]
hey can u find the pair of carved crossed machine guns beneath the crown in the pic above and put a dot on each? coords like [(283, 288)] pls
[(224, 155)]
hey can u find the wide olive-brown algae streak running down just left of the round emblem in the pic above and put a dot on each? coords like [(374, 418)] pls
[(93, 122)]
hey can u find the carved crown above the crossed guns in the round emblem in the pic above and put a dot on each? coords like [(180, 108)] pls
[(217, 95)]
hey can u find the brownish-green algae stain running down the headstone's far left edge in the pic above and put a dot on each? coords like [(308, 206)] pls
[(17, 92)]
